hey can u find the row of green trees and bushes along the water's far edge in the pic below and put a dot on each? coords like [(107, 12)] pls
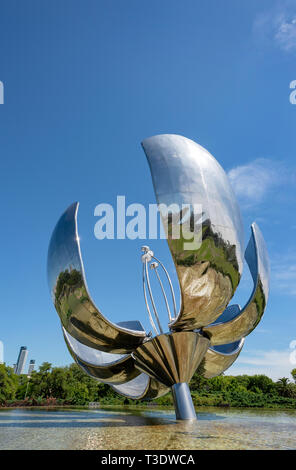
[(69, 385)]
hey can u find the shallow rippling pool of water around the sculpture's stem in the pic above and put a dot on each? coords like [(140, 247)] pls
[(146, 429)]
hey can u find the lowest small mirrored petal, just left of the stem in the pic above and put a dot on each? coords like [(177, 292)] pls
[(142, 387)]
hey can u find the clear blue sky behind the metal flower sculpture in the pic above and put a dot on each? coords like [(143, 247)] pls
[(84, 83)]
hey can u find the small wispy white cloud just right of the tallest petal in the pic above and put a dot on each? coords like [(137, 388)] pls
[(253, 181)]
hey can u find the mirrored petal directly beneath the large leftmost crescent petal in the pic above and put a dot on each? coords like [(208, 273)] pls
[(101, 365)]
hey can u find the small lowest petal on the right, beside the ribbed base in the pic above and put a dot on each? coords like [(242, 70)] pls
[(220, 358)]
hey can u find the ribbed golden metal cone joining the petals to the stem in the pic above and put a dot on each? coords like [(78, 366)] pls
[(171, 358)]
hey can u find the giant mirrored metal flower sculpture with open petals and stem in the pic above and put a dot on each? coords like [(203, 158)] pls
[(136, 364)]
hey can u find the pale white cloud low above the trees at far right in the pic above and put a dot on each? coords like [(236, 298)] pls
[(275, 364)]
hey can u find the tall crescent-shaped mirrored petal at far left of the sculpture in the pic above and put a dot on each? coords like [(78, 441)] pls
[(78, 313)]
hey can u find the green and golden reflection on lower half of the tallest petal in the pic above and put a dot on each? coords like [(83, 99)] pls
[(208, 276)]
